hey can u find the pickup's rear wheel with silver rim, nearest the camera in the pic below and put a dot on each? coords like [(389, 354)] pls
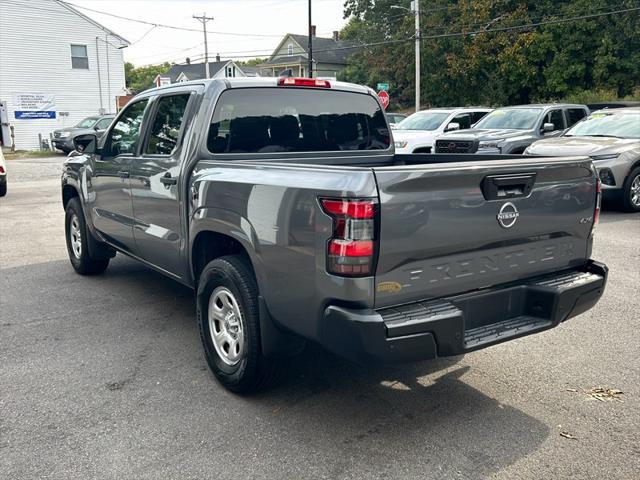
[(229, 320)]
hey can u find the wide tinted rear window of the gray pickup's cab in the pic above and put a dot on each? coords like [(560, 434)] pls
[(287, 119)]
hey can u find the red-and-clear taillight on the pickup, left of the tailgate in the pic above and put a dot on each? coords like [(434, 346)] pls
[(351, 250)]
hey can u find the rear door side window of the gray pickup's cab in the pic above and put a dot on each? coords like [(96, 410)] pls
[(165, 129)]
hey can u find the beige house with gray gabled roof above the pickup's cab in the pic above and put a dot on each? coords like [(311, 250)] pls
[(329, 56)]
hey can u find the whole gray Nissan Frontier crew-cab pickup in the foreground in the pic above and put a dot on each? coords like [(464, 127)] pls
[(282, 203)]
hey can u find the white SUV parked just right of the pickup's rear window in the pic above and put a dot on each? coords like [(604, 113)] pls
[(416, 133)]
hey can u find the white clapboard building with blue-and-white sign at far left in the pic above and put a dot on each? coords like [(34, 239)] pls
[(57, 66)]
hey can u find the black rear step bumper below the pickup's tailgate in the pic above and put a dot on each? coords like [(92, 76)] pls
[(463, 323)]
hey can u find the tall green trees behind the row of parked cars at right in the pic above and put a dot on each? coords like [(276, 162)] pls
[(594, 56)]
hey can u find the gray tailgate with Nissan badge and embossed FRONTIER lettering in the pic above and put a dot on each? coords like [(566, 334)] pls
[(452, 228)]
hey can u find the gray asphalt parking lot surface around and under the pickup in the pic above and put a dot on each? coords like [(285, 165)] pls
[(104, 377)]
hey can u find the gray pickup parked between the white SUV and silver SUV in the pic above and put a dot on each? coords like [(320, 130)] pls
[(512, 129)]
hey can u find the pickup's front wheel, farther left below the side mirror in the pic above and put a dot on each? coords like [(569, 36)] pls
[(78, 237)]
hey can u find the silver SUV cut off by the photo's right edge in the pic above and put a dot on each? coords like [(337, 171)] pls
[(612, 139)]
